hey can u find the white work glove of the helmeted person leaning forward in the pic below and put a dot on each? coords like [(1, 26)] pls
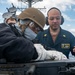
[(44, 54)]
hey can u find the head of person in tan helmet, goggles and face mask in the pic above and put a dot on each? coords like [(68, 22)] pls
[(31, 21)]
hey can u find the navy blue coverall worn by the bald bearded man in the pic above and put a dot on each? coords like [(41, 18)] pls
[(64, 43)]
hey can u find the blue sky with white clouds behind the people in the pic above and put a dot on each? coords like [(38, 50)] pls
[(67, 8)]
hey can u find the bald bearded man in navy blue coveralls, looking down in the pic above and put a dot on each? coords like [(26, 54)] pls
[(62, 40)]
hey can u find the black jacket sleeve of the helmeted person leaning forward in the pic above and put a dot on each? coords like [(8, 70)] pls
[(13, 48)]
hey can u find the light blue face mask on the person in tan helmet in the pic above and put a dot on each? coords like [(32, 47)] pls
[(29, 33)]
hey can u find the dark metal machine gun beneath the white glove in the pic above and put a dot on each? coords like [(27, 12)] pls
[(66, 67)]
